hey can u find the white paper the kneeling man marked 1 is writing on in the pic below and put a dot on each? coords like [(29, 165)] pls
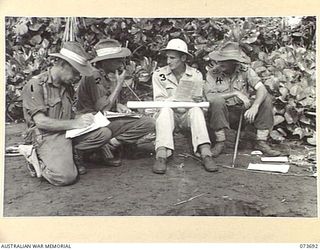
[(99, 121)]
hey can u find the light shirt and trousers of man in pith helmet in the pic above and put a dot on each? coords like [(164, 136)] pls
[(164, 87)]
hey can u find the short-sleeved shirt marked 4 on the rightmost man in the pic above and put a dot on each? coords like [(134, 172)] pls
[(244, 79)]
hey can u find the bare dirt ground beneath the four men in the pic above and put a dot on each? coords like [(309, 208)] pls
[(186, 188)]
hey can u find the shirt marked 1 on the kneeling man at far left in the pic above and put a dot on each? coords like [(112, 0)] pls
[(41, 95)]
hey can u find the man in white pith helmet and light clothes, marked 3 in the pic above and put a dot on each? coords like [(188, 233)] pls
[(165, 82)]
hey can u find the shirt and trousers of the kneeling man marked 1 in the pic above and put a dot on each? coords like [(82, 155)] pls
[(54, 151)]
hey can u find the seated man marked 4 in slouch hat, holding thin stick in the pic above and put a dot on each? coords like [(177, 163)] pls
[(228, 88)]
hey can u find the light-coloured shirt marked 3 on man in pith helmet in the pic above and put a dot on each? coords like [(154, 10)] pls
[(165, 83)]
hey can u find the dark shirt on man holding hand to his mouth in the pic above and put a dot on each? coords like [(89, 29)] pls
[(93, 92)]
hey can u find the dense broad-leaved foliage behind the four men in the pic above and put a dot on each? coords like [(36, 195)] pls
[(282, 51)]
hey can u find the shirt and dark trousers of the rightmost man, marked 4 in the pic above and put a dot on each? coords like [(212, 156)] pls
[(224, 112)]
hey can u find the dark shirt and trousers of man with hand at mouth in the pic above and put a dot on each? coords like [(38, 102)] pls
[(92, 96)]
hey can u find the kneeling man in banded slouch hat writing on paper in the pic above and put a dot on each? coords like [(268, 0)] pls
[(47, 107)]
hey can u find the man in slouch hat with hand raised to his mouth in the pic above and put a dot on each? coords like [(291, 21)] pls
[(100, 92)]
